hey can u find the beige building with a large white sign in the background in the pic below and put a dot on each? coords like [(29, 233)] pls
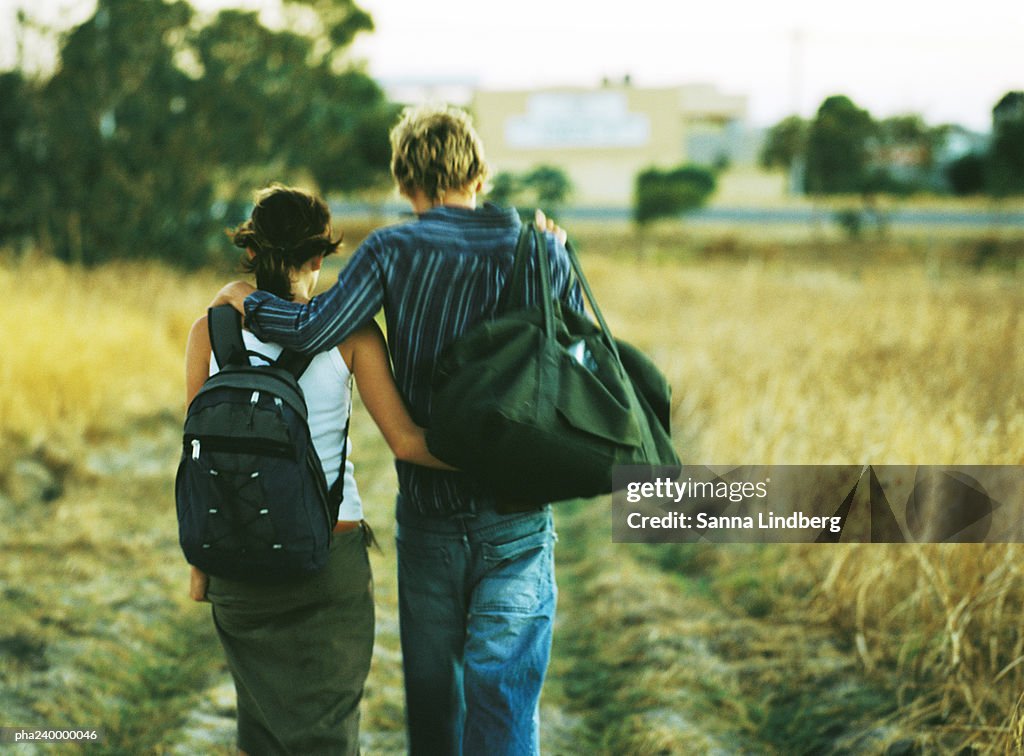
[(603, 138)]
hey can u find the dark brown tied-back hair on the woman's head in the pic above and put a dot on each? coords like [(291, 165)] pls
[(288, 227)]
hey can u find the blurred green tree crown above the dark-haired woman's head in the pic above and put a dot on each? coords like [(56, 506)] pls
[(270, 101)]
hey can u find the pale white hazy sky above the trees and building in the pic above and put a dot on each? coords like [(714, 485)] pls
[(951, 63)]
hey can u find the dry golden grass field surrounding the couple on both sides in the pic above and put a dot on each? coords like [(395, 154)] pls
[(883, 352)]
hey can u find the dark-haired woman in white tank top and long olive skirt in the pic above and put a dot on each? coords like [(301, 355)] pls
[(301, 652)]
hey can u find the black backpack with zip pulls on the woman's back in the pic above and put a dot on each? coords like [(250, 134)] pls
[(252, 498)]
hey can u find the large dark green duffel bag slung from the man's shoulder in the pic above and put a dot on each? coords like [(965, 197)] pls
[(540, 404)]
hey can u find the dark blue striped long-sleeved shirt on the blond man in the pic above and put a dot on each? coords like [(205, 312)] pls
[(436, 278)]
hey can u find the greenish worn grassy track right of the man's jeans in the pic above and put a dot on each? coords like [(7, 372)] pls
[(654, 665)]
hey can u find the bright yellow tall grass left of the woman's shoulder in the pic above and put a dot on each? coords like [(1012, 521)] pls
[(89, 350)]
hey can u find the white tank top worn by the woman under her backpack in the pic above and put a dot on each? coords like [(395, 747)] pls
[(326, 386)]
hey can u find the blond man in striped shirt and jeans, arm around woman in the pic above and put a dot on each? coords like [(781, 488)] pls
[(477, 589)]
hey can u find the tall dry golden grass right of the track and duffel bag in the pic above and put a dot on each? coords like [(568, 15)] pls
[(825, 363)]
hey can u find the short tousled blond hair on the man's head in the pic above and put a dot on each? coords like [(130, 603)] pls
[(436, 149)]
